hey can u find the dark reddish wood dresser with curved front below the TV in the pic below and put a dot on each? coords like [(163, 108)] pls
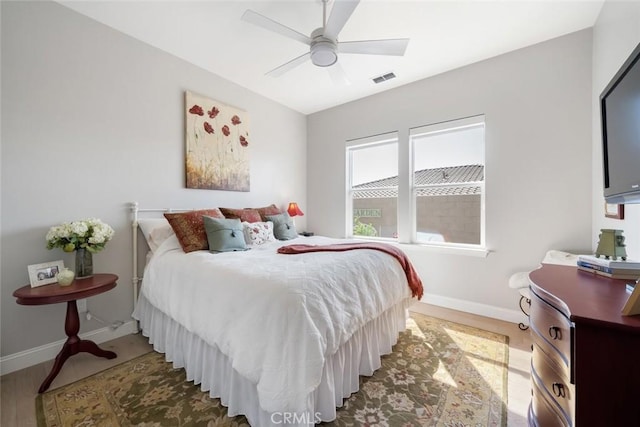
[(585, 364)]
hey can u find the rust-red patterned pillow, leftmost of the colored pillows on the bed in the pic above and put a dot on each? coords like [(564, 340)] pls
[(189, 228)]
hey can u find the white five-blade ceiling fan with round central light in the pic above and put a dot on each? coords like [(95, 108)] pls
[(323, 43)]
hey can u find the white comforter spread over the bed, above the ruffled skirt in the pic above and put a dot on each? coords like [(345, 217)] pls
[(275, 316)]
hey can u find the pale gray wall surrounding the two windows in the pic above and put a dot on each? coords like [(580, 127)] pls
[(537, 107)]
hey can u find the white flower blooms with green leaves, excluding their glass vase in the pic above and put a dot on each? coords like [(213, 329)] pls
[(91, 234)]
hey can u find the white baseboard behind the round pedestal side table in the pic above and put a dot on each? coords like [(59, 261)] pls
[(24, 359)]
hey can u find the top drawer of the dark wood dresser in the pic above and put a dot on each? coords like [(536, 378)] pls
[(551, 326)]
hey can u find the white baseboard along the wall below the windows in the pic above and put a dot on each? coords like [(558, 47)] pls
[(512, 316)]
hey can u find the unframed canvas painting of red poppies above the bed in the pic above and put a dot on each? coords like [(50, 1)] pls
[(217, 145)]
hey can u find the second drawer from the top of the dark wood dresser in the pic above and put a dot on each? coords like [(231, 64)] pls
[(553, 383)]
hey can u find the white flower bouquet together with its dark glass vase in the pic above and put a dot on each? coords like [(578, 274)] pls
[(86, 237)]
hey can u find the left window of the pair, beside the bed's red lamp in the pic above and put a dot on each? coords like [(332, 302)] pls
[(373, 186)]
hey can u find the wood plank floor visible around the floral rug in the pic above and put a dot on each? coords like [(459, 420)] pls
[(18, 389)]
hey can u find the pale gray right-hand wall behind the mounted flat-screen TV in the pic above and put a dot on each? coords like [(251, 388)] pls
[(615, 35)]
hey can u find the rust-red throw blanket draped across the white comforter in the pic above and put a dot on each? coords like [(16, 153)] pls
[(412, 276)]
